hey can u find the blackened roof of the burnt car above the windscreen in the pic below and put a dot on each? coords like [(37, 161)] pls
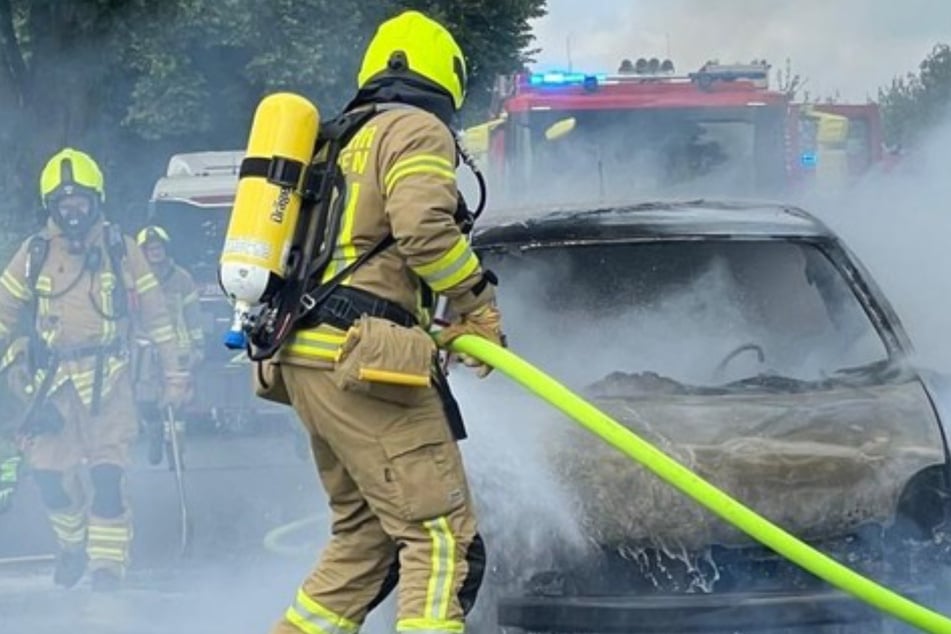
[(652, 219)]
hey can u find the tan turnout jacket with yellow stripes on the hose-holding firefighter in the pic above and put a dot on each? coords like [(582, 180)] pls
[(400, 171)]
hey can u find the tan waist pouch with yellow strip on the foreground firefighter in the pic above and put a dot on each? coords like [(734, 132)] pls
[(386, 361)]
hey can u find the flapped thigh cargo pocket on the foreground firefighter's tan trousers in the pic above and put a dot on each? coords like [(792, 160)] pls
[(424, 473)]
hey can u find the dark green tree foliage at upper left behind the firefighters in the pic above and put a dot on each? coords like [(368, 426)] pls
[(133, 81)]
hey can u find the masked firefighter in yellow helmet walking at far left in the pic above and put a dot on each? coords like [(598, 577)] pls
[(77, 285)]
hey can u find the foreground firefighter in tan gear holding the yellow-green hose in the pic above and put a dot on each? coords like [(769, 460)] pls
[(387, 452)]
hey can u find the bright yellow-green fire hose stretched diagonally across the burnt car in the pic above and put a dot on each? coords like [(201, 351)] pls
[(699, 489)]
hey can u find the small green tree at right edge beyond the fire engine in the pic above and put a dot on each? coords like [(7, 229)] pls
[(916, 102)]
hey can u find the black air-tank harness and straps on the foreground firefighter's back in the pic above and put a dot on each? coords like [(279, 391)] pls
[(324, 195)]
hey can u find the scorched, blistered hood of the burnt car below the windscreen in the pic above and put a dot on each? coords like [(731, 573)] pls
[(817, 463)]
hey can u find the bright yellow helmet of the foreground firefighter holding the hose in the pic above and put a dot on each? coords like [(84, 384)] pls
[(415, 44)]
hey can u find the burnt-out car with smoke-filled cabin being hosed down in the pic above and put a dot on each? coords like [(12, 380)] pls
[(749, 343)]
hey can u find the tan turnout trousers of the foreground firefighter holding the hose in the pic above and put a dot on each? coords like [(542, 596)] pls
[(402, 515)]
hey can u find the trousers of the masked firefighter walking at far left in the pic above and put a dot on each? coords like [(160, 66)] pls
[(100, 520)]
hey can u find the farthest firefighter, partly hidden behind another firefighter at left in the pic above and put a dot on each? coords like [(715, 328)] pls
[(181, 298)]
